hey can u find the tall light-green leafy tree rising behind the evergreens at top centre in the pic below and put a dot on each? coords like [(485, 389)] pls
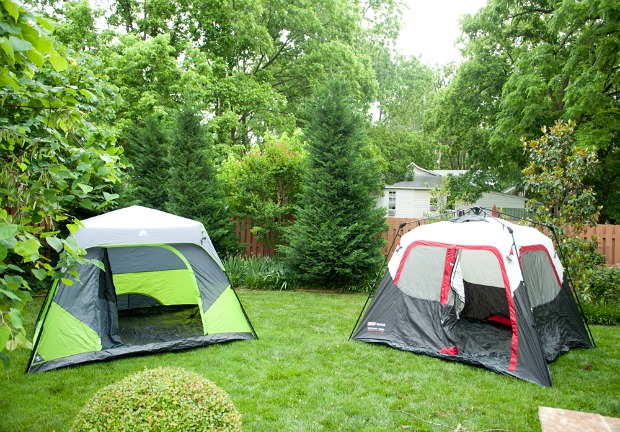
[(265, 56)]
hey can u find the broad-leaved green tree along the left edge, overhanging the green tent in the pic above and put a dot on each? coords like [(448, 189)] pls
[(57, 154)]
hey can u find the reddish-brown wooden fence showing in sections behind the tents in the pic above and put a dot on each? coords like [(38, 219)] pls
[(608, 246)]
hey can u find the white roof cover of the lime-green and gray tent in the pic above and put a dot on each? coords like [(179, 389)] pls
[(137, 225)]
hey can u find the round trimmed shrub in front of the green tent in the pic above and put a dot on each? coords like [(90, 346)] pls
[(163, 399)]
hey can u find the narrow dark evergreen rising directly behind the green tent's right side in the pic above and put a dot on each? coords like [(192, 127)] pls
[(194, 190)]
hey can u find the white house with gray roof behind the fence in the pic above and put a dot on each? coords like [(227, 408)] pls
[(412, 199)]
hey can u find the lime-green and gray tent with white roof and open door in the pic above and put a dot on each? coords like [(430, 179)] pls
[(163, 288)]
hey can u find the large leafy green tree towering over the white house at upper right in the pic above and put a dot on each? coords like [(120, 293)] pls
[(545, 60)]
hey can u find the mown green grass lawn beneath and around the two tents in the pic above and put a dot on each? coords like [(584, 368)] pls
[(303, 374)]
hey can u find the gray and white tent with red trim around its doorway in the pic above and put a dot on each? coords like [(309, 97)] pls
[(479, 290)]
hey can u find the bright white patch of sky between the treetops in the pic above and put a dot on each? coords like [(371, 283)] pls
[(431, 27)]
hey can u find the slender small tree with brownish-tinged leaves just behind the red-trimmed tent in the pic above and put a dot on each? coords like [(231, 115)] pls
[(555, 179)]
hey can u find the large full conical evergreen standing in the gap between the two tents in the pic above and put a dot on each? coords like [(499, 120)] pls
[(336, 240)]
